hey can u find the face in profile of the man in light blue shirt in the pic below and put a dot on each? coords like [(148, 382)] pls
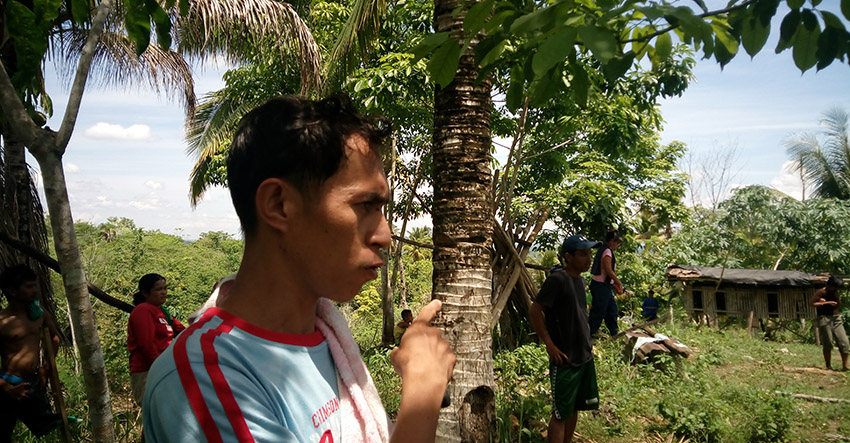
[(339, 234)]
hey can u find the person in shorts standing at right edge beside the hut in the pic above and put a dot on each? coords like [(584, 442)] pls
[(830, 326)]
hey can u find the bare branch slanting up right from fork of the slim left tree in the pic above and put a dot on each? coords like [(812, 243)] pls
[(81, 77)]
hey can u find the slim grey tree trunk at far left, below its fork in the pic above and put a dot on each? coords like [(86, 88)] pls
[(76, 290)]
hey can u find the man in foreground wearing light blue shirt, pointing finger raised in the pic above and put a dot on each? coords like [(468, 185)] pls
[(274, 359)]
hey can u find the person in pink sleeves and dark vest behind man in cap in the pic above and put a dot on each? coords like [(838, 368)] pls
[(603, 285)]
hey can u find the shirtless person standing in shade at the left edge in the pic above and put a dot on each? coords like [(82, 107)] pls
[(23, 379)]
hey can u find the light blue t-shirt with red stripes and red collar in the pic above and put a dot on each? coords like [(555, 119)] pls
[(226, 380)]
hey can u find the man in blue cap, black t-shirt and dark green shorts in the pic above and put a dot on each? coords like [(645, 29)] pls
[(559, 316)]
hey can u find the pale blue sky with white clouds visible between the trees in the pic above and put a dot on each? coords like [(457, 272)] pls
[(127, 155)]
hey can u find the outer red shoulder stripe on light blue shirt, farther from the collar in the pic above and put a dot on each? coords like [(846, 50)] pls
[(190, 383)]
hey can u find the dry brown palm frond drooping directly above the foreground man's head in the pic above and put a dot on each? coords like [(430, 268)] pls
[(239, 30)]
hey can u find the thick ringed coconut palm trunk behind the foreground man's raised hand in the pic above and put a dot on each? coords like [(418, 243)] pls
[(462, 240)]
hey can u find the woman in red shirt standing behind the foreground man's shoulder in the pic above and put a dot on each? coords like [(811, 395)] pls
[(149, 331)]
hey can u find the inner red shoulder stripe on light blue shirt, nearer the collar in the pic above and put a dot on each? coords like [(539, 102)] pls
[(222, 389)]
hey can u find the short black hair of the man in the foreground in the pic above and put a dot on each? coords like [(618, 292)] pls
[(296, 139)]
